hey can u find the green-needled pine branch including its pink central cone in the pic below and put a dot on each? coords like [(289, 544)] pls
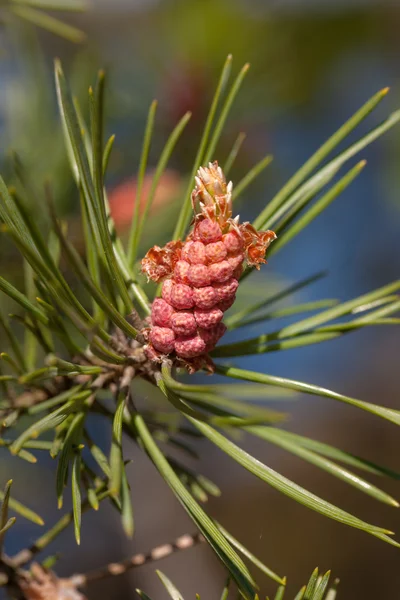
[(103, 339)]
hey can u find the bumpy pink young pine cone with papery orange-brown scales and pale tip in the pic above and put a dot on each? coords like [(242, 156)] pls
[(201, 275)]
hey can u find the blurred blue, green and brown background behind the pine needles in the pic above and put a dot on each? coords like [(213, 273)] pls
[(312, 65)]
